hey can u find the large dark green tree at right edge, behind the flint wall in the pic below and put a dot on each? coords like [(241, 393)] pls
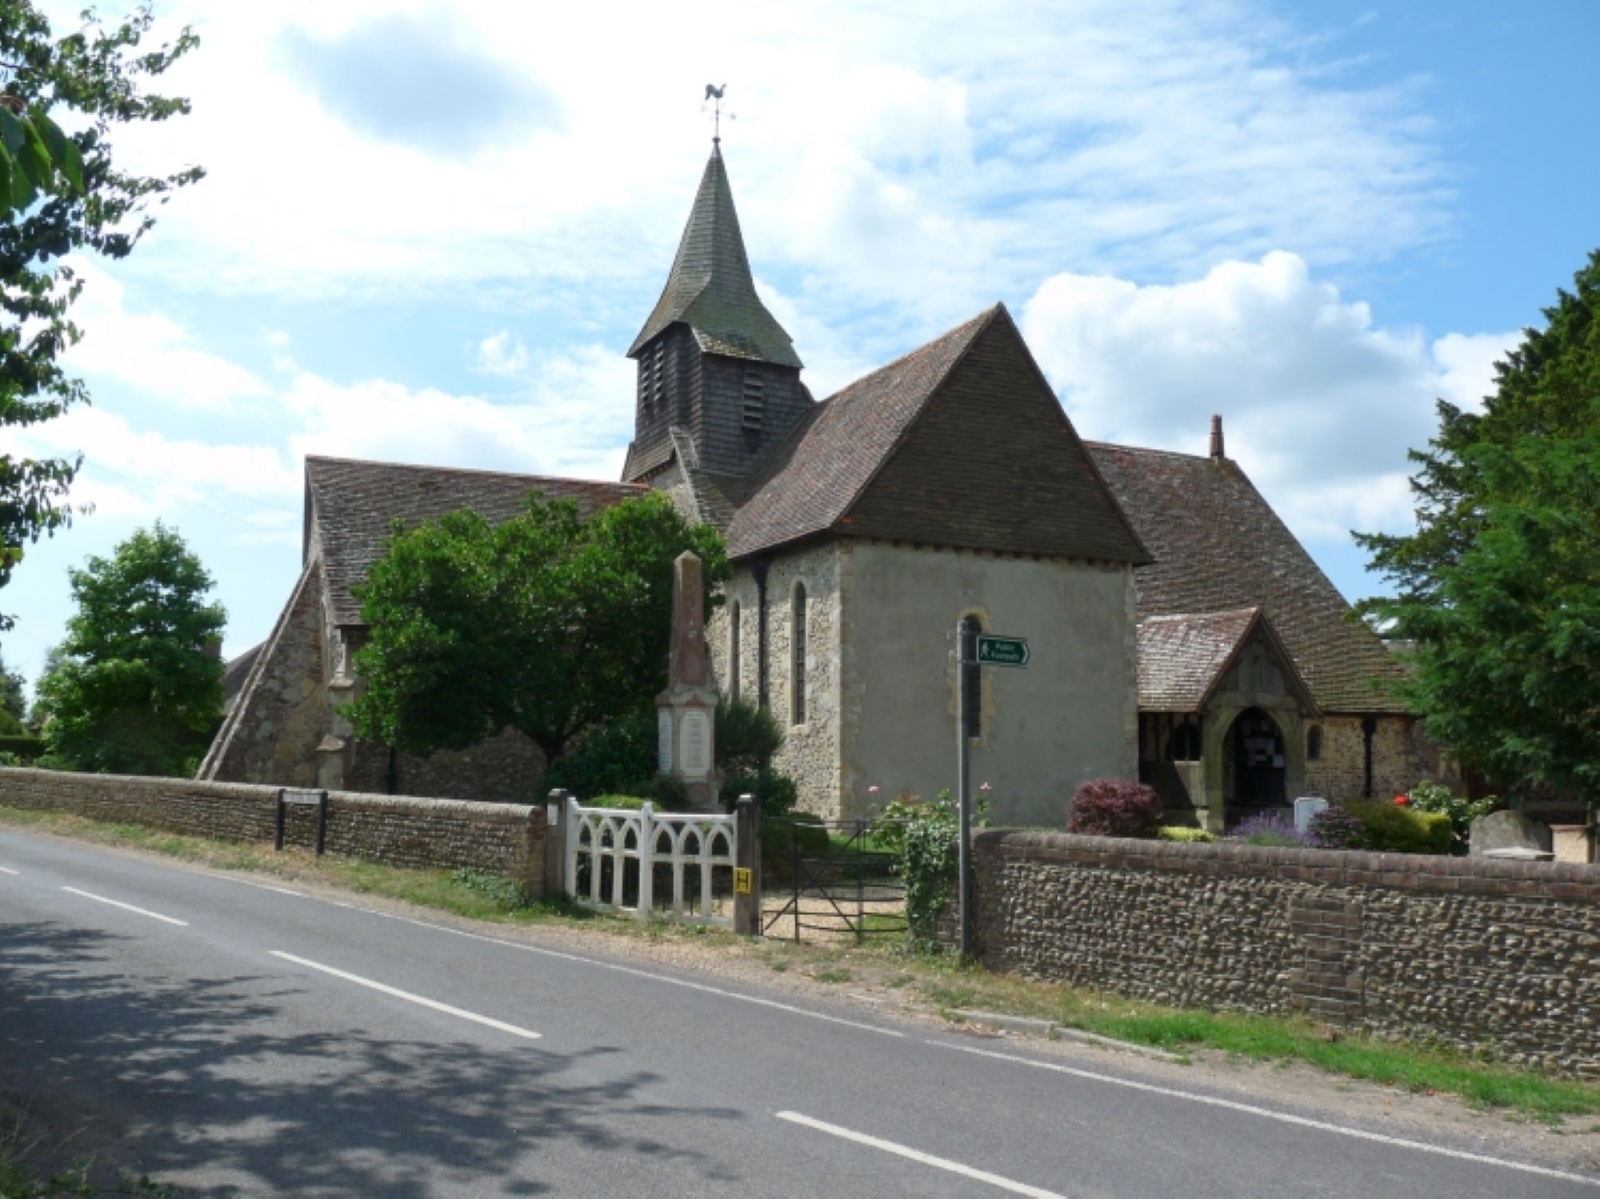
[(1500, 585)]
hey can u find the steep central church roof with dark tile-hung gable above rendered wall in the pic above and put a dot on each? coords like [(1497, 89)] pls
[(958, 444)]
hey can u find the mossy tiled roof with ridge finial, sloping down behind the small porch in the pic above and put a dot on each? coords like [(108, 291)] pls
[(1220, 547)]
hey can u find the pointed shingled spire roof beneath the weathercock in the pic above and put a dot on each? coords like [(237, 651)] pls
[(711, 289)]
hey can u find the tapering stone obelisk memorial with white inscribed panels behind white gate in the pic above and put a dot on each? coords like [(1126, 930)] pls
[(686, 712)]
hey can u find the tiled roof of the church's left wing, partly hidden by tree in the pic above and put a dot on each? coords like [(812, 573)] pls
[(356, 503)]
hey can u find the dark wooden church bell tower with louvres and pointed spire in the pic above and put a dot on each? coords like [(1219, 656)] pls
[(713, 363)]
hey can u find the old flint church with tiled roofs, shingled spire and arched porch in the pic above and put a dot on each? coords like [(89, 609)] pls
[(1178, 632)]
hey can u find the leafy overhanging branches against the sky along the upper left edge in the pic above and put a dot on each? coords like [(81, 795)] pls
[(63, 194)]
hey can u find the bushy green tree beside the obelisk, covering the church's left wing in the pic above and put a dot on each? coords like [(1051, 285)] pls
[(546, 624)]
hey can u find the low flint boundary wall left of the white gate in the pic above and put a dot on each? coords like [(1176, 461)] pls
[(393, 830)]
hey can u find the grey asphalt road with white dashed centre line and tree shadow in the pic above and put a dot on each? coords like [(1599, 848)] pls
[(262, 1041)]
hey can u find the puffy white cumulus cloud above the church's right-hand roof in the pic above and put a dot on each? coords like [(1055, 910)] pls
[(1319, 404)]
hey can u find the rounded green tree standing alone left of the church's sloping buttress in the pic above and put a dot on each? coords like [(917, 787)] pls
[(138, 688)]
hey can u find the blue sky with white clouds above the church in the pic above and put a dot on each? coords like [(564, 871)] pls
[(431, 231)]
